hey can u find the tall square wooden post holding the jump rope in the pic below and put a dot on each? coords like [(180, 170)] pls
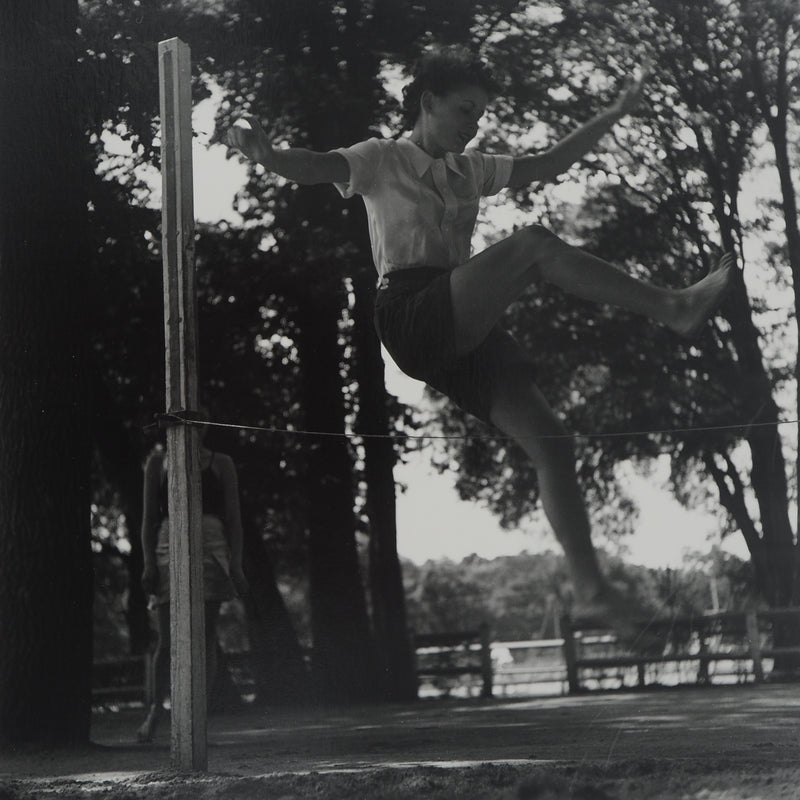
[(188, 685)]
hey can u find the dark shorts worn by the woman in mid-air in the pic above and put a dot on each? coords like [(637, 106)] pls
[(414, 320)]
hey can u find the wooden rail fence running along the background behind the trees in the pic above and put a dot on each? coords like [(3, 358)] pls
[(468, 661)]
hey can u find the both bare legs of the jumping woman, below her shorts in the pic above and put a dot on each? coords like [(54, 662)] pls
[(481, 290)]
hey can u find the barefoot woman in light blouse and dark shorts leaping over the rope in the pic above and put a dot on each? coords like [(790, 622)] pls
[(437, 307)]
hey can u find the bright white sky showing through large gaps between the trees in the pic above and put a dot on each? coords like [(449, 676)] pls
[(432, 520)]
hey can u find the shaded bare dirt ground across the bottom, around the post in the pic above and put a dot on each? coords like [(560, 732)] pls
[(720, 743)]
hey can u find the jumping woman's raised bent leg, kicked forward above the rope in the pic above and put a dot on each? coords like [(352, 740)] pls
[(487, 284)]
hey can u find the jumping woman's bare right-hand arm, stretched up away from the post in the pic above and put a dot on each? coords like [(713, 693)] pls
[(559, 158)]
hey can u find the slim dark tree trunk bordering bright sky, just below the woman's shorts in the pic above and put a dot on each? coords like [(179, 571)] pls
[(395, 658)]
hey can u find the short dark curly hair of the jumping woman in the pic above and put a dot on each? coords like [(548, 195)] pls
[(444, 70)]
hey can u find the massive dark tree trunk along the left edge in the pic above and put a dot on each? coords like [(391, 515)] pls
[(45, 566)]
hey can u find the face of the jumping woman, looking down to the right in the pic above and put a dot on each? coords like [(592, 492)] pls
[(451, 120)]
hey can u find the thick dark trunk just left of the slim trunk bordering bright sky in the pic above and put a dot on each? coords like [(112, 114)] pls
[(343, 664)]
